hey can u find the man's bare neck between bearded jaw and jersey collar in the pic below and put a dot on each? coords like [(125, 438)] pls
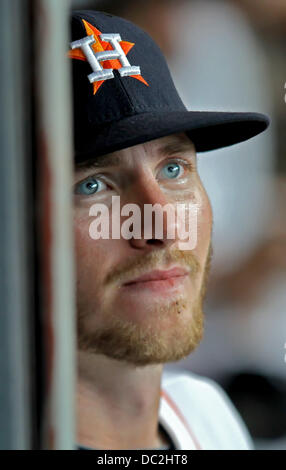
[(117, 404)]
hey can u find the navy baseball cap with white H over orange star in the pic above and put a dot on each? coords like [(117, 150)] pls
[(124, 95)]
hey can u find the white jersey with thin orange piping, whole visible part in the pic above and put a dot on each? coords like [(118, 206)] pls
[(197, 414)]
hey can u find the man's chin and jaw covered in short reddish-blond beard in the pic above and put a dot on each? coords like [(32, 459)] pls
[(168, 337)]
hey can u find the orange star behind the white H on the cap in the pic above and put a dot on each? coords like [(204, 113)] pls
[(100, 46)]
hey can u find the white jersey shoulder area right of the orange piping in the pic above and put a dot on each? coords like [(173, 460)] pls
[(208, 409)]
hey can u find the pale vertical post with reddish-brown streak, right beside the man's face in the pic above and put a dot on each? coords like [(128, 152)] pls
[(53, 114)]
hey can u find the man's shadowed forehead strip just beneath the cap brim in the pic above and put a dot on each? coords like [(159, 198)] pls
[(174, 144)]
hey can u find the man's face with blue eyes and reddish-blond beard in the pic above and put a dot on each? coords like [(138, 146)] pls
[(141, 322)]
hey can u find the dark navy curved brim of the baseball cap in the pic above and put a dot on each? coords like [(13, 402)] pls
[(207, 130)]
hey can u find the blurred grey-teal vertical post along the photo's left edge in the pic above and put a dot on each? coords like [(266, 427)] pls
[(15, 345)]
